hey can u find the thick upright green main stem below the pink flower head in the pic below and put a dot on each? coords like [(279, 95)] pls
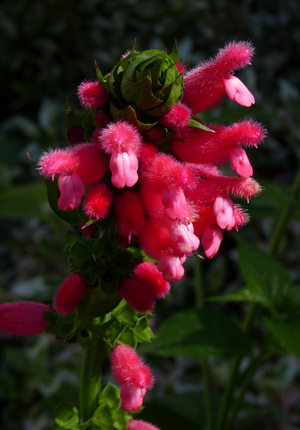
[(90, 378)]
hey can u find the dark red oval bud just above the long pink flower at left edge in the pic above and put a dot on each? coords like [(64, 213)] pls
[(69, 294)]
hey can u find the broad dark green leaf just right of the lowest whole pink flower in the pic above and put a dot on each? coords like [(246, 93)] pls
[(198, 333)]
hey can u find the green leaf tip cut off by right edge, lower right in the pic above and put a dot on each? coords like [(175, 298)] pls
[(287, 332)]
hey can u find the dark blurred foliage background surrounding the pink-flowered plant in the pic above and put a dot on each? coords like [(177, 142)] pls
[(47, 49)]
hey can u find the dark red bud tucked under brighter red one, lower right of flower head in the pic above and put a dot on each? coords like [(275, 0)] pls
[(136, 294)]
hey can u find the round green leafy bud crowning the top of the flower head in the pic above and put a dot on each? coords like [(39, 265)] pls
[(144, 86)]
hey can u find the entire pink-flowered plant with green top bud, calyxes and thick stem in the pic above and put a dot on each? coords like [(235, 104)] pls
[(140, 184)]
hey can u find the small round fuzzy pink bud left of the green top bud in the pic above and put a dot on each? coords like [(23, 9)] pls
[(92, 95)]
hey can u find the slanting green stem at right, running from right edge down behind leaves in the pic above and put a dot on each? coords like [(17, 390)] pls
[(250, 315)]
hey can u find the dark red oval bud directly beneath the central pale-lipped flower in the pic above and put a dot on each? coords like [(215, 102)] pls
[(130, 213)]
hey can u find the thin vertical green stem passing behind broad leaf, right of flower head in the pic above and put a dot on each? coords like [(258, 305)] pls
[(203, 361)]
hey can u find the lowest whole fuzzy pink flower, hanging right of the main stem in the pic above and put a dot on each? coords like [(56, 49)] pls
[(134, 376)]
